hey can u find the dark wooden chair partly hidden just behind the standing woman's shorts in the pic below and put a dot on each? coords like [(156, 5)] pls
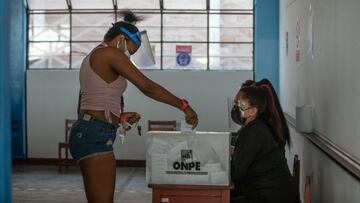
[(66, 162)]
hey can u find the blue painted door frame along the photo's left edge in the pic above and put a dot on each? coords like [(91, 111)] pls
[(12, 88)]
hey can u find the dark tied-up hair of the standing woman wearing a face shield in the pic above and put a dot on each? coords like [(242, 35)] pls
[(128, 23)]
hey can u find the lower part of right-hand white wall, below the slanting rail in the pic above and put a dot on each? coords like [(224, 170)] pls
[(330, 182)]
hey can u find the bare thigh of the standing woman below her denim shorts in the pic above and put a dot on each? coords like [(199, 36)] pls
[(99, 173)]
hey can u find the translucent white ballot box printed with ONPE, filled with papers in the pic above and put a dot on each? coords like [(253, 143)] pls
[(199, 158)]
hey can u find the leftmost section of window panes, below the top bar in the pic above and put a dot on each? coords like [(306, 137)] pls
[(49, 41)]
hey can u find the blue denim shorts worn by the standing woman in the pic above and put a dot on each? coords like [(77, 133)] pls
[(91, 137)]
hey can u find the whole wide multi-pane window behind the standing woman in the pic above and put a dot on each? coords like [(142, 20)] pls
[(218, 36)]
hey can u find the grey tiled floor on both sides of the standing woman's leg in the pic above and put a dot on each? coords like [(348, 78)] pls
[(43, 184)]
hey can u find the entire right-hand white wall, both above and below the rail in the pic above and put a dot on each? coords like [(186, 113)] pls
[(329, 82)]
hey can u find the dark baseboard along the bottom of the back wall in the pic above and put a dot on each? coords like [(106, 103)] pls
[(54, 162)]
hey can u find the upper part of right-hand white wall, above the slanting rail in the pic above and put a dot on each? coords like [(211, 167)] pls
[(329, 81)]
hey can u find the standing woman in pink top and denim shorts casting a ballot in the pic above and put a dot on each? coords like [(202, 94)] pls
[(103, 79)]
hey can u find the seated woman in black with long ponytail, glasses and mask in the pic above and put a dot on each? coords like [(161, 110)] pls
[(259, 168)]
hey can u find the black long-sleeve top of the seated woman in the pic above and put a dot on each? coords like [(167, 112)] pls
[(259, 168)]
